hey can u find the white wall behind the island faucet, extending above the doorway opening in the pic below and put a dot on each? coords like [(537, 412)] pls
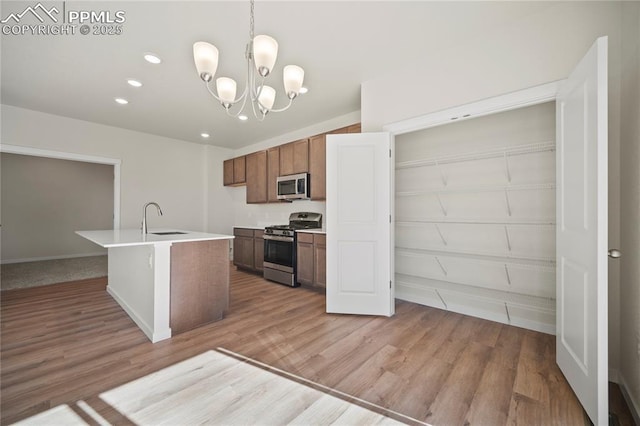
[(153, 168)]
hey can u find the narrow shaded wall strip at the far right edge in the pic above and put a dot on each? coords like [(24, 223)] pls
[(630, 207)]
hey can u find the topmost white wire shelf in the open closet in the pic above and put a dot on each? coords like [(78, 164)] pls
[(481, 155)]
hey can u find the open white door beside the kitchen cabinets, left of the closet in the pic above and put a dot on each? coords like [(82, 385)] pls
[(359, 231)]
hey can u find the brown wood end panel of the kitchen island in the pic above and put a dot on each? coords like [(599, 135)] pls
[(199, 283)]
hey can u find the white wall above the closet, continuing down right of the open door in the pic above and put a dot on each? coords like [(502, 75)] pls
[(536, 49)]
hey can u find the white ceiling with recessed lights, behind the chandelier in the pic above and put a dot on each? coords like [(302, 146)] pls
[(339, 44)]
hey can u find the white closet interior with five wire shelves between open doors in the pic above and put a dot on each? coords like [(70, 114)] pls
[(475, 217)]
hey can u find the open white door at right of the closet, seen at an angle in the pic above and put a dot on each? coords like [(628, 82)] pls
[(581, 338)]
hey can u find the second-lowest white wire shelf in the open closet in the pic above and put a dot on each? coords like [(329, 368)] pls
[(526, 261)]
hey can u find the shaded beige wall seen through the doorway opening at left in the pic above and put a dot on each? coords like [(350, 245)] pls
[(44, 200)]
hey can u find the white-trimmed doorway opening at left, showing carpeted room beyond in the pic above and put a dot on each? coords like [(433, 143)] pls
[(47, 197)]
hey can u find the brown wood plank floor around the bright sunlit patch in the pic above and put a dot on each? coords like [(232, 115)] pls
[(70, 342)]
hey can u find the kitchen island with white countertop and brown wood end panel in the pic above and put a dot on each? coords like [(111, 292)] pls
[(167, 281)]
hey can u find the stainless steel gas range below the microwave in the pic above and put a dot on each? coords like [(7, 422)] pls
[(280, 247)]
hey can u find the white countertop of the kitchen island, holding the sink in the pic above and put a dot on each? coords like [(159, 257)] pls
[(134, 237)]
